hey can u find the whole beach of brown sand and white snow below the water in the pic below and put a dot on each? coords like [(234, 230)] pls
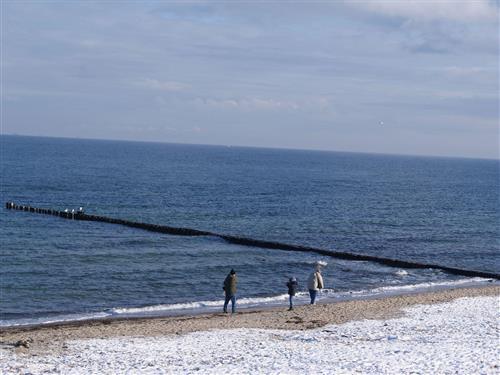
[(445, 331)]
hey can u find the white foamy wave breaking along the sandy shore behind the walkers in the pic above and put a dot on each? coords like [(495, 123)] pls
[(200, 307)]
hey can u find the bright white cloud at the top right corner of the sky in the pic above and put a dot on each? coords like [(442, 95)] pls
[(459, 10)]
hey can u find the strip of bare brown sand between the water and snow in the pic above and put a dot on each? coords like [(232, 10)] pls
[(52, 337)]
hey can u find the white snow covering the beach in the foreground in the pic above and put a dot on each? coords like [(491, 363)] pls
[(461, 336)]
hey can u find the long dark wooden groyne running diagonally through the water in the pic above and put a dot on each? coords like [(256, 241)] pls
[(80, 215)]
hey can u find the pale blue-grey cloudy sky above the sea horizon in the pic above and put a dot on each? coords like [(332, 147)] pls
[(403, 77)]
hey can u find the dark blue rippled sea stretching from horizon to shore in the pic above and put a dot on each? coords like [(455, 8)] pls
[(427, 209)]
